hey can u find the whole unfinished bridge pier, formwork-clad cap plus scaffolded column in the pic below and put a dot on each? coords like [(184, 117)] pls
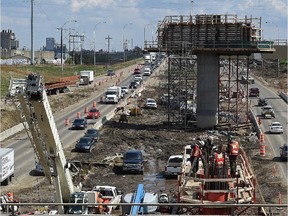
[(221, 46)]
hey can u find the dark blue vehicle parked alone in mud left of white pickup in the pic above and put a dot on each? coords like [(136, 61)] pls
[(133, 161)]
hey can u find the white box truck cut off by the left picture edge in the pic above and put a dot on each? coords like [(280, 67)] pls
[(7, 165)]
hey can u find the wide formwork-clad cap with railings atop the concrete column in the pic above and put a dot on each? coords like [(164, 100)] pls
[(219, 34)]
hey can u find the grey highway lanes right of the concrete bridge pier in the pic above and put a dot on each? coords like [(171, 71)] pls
[(275, 141)]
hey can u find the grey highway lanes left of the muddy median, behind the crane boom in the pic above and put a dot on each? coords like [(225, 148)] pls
[(24, 155)]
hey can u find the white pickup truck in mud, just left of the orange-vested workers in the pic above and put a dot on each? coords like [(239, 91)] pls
[(173, 166)]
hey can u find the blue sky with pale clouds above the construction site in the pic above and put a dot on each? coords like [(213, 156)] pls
[(118, 18)]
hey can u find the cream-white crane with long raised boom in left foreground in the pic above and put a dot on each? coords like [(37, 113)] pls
[(33, 105)]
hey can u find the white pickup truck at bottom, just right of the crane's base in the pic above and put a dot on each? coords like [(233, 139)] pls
[(110, 194)]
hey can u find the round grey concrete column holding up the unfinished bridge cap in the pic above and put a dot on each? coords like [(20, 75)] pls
[(207, 90)]
